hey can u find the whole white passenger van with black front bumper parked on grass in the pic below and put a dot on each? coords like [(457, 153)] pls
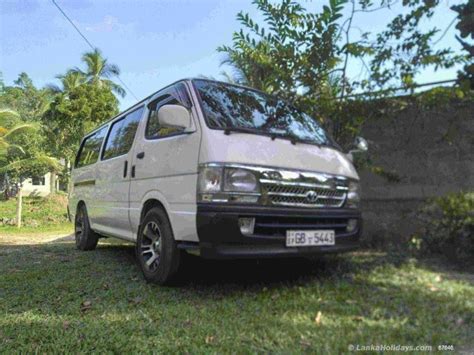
[(216, 170)]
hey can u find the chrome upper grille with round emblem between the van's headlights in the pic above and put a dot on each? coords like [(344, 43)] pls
[(304, 194)]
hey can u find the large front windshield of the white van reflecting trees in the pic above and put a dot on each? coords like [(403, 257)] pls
[(233, 107)]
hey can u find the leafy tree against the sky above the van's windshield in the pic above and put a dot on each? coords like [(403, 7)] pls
[(304, 56)]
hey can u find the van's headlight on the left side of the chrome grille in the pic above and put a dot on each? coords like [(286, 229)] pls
[(227, 184)]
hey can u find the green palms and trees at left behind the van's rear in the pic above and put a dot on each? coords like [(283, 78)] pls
[(38, 124)]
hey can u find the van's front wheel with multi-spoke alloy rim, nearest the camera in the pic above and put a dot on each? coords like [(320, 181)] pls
[(156, 250)]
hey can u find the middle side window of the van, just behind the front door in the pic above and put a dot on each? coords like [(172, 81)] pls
[(121, 135)]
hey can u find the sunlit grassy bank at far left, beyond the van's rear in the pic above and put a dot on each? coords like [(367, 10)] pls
[(39, 214)]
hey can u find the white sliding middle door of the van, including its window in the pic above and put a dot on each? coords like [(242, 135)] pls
[(113, 177)]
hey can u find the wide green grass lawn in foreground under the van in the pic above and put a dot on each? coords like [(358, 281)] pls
[(54, 298)]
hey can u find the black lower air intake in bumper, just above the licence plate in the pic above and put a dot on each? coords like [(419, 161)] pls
[(277, 226)]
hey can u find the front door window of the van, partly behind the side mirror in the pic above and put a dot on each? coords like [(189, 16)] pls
[(176, 95)]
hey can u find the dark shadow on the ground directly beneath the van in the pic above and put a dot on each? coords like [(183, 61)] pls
[(259, 273)]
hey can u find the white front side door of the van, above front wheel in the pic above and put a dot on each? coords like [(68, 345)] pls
[(165, 163)]
